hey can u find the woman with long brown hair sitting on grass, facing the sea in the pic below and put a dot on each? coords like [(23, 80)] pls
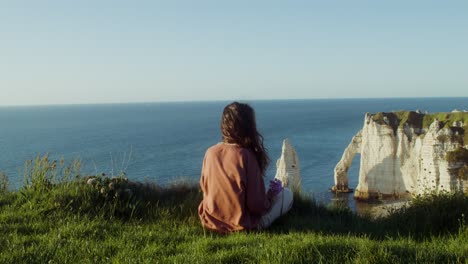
[(234, 196)]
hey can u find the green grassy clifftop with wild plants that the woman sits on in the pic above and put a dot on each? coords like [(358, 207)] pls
[(61, 221)]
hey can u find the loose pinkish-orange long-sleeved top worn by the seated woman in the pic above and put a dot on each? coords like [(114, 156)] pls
[(234, 195)]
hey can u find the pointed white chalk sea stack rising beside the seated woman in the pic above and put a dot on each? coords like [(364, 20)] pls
[(287, 168)]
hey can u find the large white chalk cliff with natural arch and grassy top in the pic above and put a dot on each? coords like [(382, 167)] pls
[(407, 153)]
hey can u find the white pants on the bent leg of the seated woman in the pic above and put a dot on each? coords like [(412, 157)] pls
[(281, 204)]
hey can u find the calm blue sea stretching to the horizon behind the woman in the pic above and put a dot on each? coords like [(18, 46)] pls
[(163, 142)]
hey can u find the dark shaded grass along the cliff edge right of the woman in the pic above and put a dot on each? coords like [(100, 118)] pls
[(428, 216)]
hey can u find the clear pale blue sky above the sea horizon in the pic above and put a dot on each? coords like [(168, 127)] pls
[(60, 52)]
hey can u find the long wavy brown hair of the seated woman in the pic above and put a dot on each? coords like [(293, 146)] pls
[(238, 126)]
